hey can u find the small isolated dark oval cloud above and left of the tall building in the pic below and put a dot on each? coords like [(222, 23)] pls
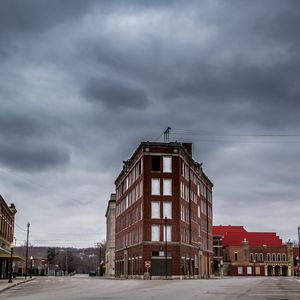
[(116, 94)]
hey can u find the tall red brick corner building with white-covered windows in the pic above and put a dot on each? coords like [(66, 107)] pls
[(163, 214)]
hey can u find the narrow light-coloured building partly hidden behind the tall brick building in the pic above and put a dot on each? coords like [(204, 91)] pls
[(110, 236)]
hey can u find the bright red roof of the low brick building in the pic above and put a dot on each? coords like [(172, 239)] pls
[(235, 235)]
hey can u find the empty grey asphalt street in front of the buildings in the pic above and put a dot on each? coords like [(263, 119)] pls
[(85, 288)]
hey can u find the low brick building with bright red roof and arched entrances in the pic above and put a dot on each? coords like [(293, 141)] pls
[(238, 252)]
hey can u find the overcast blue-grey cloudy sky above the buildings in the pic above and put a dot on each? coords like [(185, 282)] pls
[(82, 83)]
